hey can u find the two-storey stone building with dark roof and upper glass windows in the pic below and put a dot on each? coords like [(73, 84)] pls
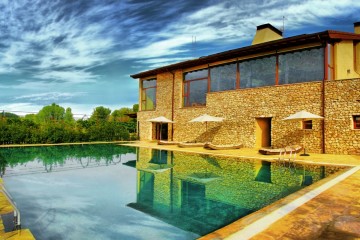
[(255, 87)]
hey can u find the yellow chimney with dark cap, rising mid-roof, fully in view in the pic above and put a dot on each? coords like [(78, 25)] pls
[(266, 33)]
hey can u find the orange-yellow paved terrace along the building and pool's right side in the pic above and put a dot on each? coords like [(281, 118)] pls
[(328, 209)]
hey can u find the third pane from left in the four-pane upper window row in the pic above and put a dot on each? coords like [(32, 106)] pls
[(258, 72)]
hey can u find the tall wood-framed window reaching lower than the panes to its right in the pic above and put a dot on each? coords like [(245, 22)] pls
[(195, 88)]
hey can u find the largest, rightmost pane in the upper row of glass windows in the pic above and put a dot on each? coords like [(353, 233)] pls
[(301, 66)]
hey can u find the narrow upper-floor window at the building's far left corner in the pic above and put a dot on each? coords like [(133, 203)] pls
[(148, 94)]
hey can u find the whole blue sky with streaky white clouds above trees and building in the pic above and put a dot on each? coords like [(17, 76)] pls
[(81, 53)]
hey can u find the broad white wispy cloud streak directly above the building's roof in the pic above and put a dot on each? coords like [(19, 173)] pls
[(229, 21)]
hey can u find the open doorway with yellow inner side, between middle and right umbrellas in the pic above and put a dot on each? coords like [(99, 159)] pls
[(263, 132)]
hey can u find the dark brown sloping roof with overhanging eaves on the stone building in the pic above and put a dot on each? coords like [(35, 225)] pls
[(320, 37)]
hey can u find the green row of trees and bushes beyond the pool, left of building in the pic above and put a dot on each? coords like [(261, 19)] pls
[(54, 124)]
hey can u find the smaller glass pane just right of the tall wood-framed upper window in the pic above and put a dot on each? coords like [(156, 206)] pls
[(223, 77)]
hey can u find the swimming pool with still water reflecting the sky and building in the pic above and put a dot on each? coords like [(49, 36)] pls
[(118, 192)]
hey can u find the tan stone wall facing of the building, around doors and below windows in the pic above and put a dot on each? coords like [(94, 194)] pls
[(242, 107)]
